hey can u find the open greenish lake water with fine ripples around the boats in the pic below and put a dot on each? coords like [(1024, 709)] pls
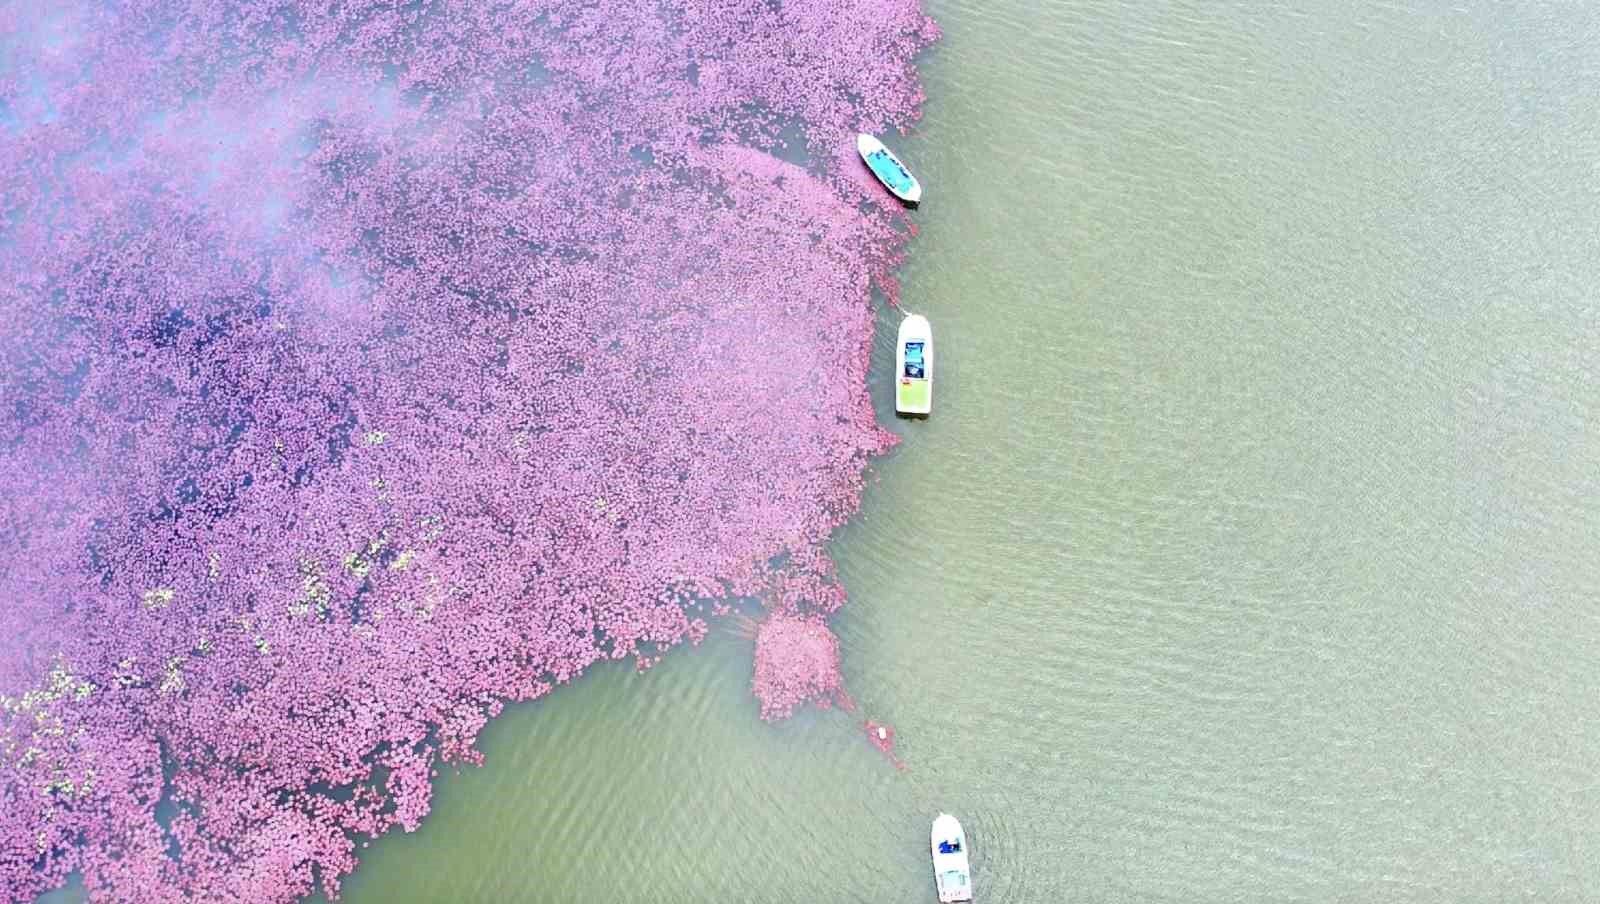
[(1254, 548)]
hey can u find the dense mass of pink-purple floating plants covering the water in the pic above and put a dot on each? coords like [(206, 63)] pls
[(370, 366)]
